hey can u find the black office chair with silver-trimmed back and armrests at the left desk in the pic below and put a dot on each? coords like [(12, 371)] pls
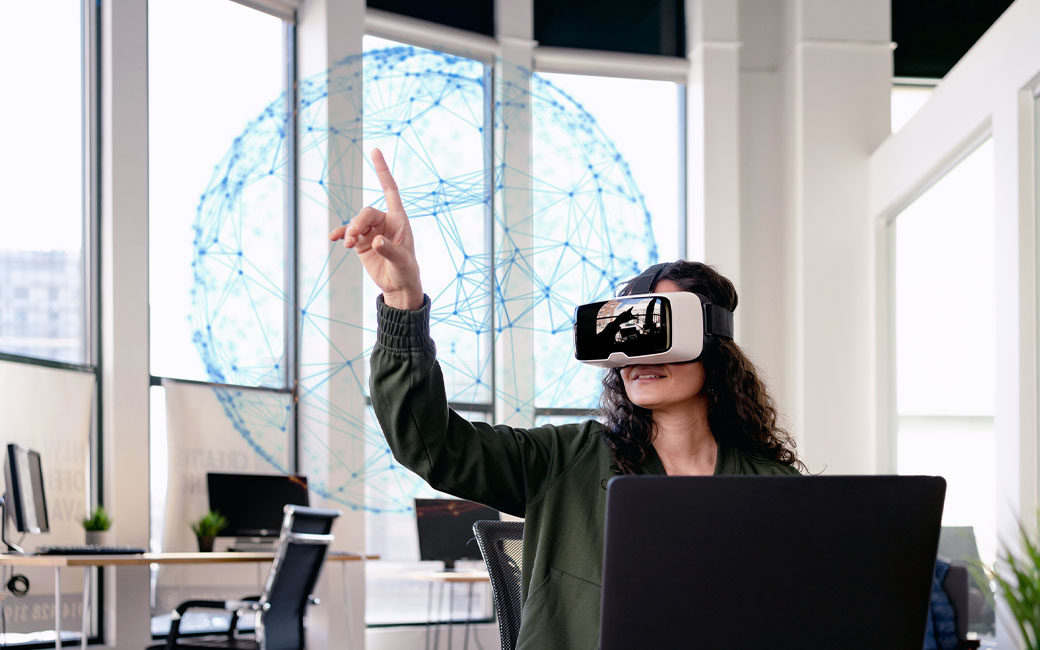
[(279, 611)]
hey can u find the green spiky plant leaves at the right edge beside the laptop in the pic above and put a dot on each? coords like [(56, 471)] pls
[(1019, 583)]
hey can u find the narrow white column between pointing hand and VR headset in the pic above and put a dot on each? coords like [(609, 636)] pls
[(514, 350)]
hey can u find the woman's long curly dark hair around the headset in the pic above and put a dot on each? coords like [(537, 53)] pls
[(741, 411)]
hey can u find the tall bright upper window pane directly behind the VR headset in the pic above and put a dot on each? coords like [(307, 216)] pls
[(608, 168)]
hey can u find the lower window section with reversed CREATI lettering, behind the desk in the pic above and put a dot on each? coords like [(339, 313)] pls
[(192, 435)]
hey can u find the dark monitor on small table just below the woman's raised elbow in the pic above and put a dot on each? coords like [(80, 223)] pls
[(447, 530)]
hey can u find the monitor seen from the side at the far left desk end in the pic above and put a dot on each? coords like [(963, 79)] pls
[(24, 500)]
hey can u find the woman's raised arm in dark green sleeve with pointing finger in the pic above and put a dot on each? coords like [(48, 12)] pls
[(500, 466)]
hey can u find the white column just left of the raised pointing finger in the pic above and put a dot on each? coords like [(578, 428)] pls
[(328, 32)]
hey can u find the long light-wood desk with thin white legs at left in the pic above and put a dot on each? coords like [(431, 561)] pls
[(87, 562)]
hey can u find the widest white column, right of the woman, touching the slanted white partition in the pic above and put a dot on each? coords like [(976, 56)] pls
[(837, 77)]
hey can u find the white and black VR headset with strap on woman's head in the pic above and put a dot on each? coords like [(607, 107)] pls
[(648, 328)]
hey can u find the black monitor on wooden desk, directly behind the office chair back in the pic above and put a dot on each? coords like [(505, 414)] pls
[(254, 504)]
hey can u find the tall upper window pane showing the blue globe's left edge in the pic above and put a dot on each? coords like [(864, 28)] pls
[(217, 254)]
